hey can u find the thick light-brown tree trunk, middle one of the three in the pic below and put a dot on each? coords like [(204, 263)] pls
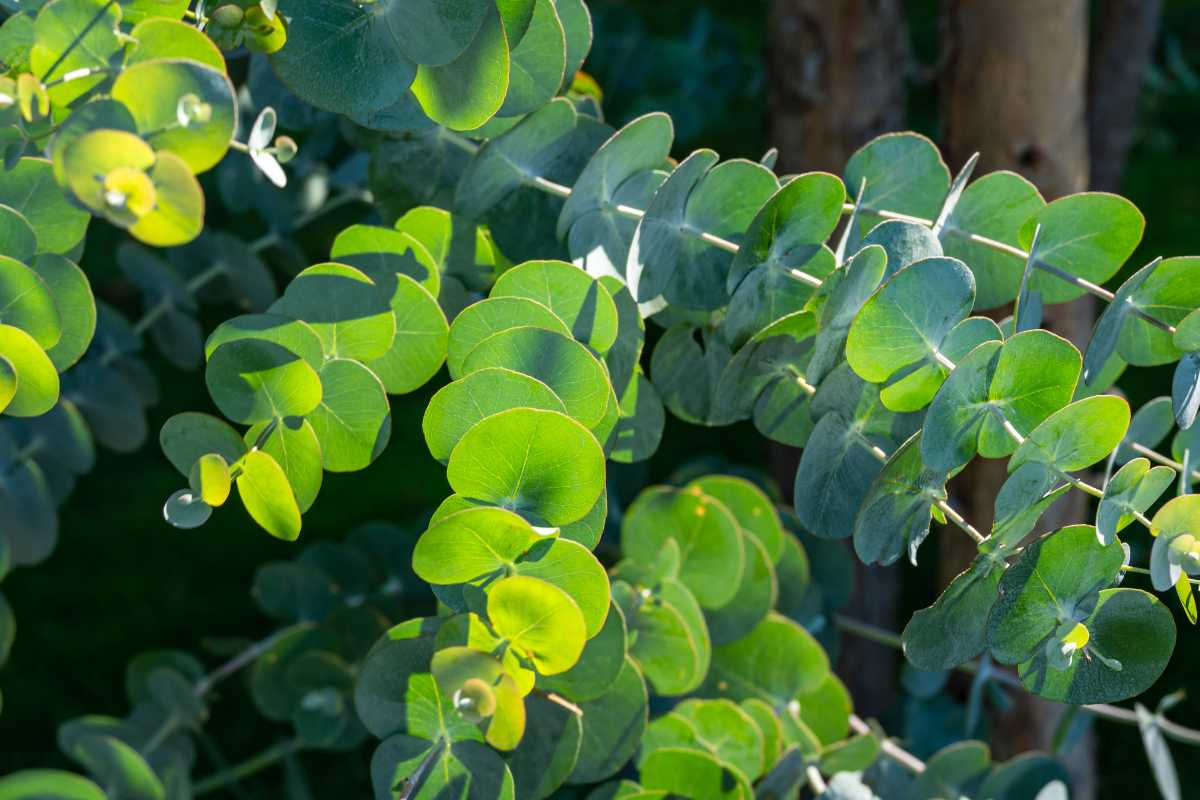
[(1015, 88)]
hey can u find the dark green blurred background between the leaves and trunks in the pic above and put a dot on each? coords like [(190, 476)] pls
[(122, 581)]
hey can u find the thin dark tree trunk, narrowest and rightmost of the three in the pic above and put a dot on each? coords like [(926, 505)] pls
[(1125, 41)]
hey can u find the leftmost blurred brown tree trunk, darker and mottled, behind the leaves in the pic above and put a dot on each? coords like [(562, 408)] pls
[(837, 81)]
